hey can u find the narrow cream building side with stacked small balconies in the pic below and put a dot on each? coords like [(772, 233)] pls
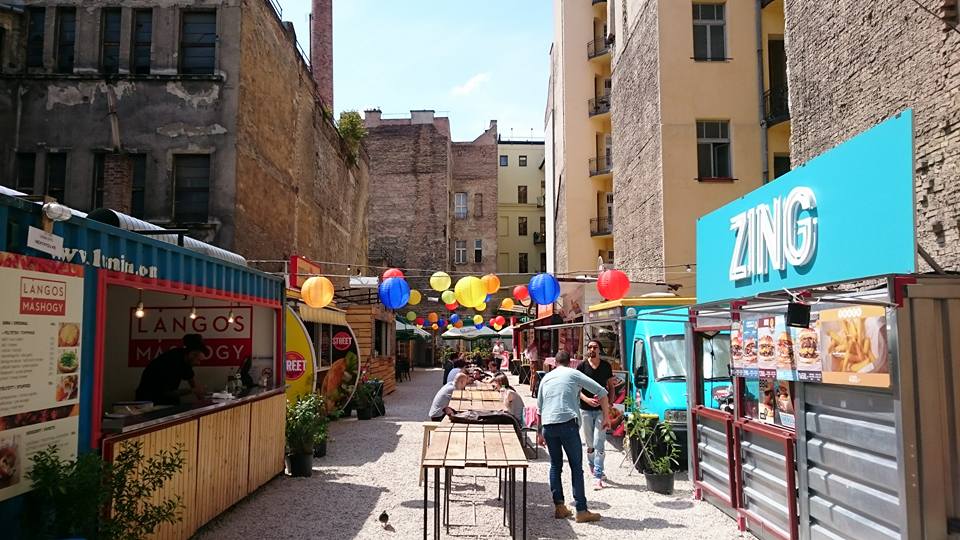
[(579, 150)]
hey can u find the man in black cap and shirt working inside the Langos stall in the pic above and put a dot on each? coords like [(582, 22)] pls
[(161, 379)]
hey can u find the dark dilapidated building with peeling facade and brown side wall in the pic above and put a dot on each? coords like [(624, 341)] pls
[(197, 114)]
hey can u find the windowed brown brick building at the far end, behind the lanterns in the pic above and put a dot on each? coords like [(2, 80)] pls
[(431, 199)]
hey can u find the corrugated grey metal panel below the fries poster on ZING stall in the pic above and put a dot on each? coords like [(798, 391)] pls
[(850, 471)]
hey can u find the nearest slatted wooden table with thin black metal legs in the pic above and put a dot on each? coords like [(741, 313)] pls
[(459, 446)]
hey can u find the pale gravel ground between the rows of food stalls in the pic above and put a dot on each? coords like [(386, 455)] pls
[(372, 466)]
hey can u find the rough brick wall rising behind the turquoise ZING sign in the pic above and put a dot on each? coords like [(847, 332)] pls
[(851, 68)]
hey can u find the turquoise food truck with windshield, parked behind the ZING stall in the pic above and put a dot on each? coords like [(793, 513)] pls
[(645, 337)]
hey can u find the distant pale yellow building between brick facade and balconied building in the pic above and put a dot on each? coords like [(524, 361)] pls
[(521, 219)]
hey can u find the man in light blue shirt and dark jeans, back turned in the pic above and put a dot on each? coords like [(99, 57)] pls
[(558, 400)]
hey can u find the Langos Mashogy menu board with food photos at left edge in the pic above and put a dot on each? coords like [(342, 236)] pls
[(41, 315)]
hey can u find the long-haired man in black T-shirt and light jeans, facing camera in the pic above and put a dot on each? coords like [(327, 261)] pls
[(591, 416)]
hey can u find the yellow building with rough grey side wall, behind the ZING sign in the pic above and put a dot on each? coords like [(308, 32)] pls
[(699, 119)]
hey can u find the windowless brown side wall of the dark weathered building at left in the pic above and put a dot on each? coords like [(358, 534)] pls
[(296, 194)]
